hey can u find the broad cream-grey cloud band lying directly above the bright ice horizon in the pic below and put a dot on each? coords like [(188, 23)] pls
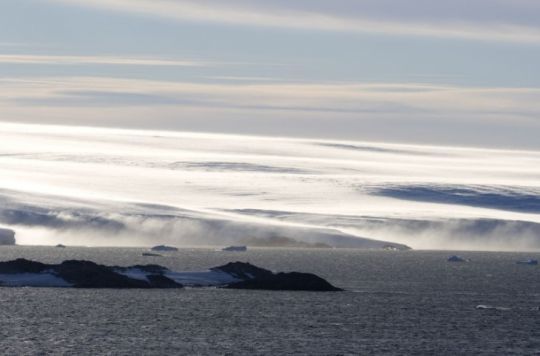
[(409, 112)]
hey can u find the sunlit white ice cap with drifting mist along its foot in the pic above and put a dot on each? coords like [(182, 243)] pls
[(124, 187)]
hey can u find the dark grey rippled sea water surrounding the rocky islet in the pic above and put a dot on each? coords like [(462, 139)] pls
[(396, 303)]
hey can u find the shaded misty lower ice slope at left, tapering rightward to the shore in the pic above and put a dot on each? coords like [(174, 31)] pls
[(132, 224)]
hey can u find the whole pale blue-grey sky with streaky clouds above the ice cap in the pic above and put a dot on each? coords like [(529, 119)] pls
[(415, 71)]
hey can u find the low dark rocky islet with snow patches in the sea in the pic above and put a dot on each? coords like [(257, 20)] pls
[(86, 274)]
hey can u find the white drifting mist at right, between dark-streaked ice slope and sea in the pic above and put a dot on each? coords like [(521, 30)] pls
[(443, 232)]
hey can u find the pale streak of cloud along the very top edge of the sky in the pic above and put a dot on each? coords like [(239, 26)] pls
[(413, 18)]
